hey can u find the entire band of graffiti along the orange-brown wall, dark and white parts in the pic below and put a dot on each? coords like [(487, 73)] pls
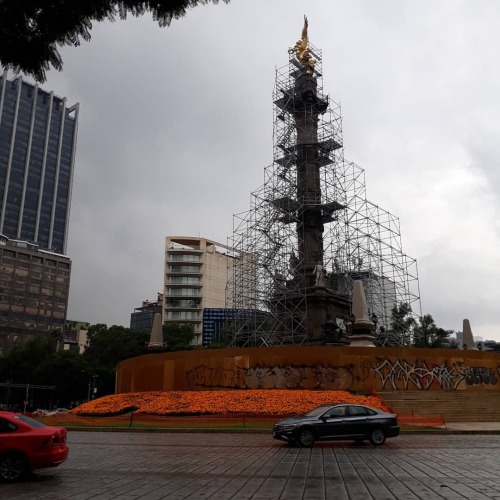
[(393, 375)]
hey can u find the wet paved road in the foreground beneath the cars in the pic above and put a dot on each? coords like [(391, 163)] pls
[(106, 465)]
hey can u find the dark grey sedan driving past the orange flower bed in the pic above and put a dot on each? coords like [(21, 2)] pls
[(338, 422)]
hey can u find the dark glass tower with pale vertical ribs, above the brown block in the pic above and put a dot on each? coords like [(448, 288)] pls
[(37, 150)]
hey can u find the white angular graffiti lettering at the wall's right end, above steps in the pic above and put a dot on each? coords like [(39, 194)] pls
[(401, 374)]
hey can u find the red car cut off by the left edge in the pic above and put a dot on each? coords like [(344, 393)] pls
[(27, 444)]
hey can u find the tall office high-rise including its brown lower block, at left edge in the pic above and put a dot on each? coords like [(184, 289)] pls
[(37, 151)]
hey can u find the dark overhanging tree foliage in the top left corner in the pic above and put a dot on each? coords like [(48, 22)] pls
[(32, 30)]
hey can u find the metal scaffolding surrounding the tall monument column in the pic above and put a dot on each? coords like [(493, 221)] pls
[(360, 240)]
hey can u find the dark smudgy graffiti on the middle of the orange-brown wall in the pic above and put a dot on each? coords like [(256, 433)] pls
[(276, 377)]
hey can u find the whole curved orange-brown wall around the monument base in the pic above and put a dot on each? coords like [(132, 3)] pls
[(355, 369)]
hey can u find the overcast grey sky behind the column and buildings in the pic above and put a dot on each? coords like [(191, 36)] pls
[(176, 123)]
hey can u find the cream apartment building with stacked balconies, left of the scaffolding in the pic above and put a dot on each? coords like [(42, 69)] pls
[(195, 278)]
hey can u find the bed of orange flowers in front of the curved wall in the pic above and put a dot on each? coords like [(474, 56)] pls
[(258, 401)]
